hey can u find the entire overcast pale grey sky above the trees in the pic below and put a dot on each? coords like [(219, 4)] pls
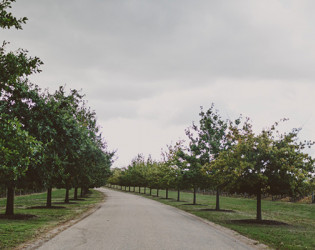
[(146, 66)]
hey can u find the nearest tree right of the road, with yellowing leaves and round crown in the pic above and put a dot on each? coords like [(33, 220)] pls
[(267, 163)]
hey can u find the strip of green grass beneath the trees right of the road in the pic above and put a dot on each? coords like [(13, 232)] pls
[(298, 234)]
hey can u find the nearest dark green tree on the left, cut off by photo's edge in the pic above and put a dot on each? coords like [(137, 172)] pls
[(16, 103)]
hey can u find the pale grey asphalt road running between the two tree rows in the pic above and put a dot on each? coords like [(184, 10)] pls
[(131, 222)]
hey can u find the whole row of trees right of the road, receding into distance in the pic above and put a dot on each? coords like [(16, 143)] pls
[(227, 155)]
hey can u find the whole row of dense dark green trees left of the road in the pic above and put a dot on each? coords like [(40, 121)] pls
[(46, 140)]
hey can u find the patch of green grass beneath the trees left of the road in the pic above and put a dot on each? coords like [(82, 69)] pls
[(15, 232)]
